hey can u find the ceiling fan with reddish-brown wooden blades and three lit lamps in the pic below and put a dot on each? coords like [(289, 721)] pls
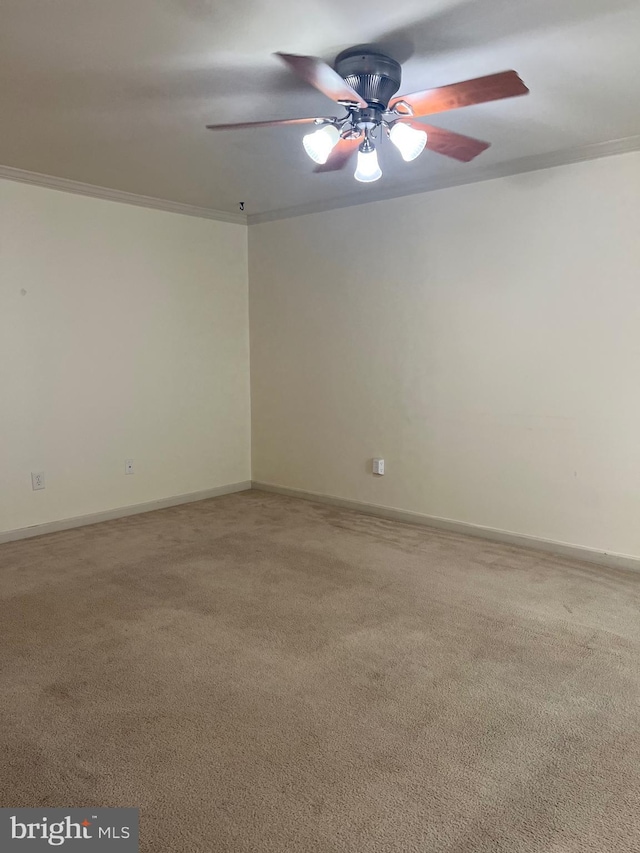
[(364, 82)]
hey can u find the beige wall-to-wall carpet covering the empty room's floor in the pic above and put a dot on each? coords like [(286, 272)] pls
[(259, 673)]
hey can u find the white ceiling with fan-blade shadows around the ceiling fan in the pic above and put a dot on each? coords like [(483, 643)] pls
[(116, 93)]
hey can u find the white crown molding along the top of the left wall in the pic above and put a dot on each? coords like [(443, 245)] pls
[(66, 185)]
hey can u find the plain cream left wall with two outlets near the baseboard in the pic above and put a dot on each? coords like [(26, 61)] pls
[(123, 334)]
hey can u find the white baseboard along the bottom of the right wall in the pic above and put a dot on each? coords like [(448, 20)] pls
[(562, 549)]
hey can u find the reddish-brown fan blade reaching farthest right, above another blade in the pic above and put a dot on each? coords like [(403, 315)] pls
[(507, 84)]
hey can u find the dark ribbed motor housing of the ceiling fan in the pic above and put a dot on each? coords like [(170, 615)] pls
[(374, 76)]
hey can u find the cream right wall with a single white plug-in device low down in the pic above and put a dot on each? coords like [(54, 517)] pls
[(484, 340)]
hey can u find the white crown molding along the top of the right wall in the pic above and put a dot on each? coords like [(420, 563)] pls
[(519, 166)]
